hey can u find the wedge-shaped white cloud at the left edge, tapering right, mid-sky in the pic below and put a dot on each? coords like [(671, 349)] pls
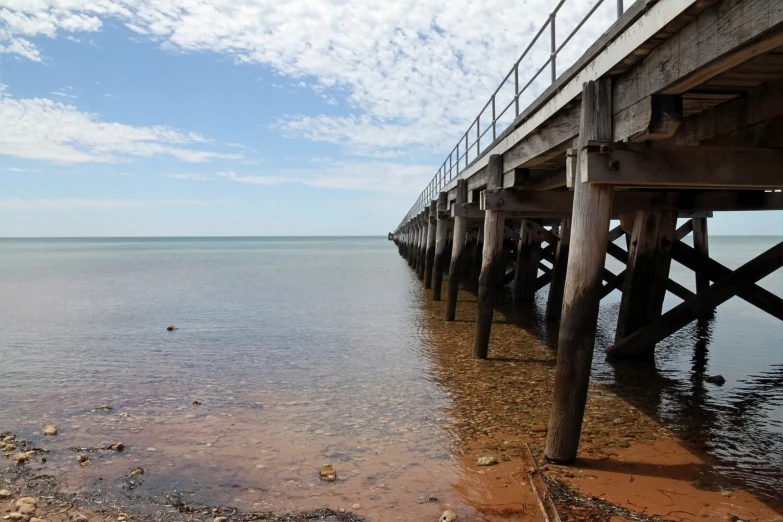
[(49, 130)]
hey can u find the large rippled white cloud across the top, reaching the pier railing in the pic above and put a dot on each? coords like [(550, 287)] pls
[(414, 72)]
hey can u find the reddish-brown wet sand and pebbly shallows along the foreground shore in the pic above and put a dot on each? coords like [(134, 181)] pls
[(260, 452)]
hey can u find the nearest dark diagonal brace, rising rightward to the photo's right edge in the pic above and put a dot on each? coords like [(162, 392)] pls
[(720, 292)]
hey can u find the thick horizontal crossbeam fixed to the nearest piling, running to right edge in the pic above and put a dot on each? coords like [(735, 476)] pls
[(670, 166)]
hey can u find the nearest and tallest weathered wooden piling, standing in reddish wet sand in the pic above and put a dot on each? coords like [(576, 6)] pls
[(589, 235)]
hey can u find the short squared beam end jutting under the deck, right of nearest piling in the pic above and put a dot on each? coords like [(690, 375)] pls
[(655, 117)]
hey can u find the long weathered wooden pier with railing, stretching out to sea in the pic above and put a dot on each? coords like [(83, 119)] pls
[(675, 112)]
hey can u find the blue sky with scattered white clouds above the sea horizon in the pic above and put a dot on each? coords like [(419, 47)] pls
[(254, 117)]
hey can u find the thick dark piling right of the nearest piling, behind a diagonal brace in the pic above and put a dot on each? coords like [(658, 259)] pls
[(644, 287)]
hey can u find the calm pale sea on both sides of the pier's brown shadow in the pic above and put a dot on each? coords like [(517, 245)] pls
[(306, 351)]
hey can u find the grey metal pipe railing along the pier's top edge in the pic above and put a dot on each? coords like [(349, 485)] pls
[(471, 140)]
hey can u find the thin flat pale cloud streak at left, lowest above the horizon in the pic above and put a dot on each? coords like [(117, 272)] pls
[(95, 204)]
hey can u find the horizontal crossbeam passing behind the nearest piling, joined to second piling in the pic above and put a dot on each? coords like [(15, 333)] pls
[(534, 203)]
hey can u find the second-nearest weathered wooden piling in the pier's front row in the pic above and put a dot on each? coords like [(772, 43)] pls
[(494, 229)]
